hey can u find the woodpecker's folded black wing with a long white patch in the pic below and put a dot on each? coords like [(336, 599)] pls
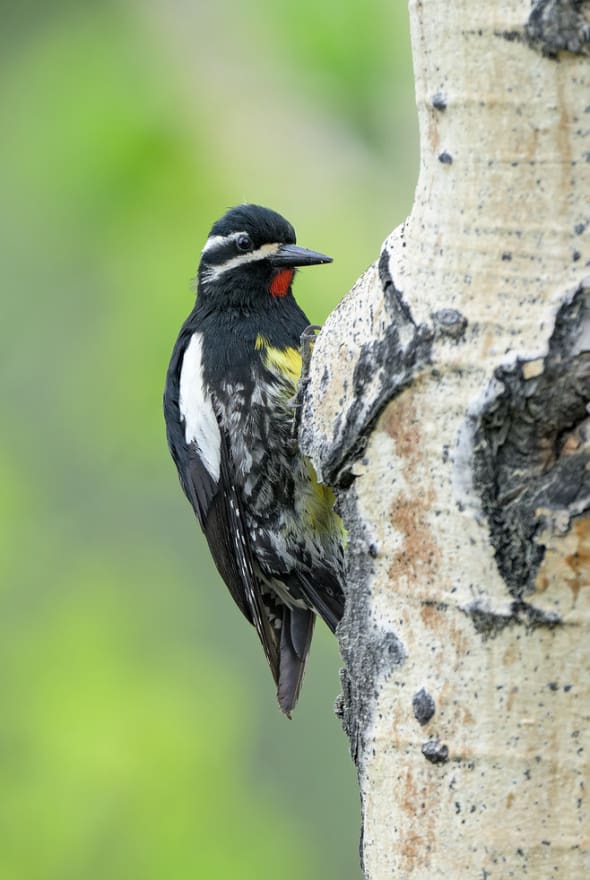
[(201, 451)]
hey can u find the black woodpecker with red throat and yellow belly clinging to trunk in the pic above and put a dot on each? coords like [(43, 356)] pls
[(229, 406)]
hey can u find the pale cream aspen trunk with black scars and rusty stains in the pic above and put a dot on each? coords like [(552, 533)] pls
[(448, 402)]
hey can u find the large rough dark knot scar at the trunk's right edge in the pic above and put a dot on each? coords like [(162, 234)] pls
[(531, 455)]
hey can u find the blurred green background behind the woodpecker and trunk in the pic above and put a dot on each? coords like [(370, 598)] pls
[(139, 735)]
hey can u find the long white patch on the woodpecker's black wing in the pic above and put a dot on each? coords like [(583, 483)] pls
[(196, 409)]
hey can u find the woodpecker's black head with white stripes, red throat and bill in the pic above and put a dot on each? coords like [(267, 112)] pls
[(250, 255)]
